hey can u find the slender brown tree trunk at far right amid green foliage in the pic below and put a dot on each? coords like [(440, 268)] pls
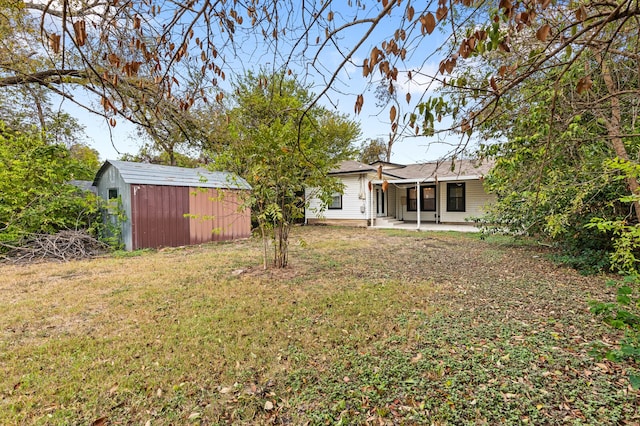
[(614, 130)]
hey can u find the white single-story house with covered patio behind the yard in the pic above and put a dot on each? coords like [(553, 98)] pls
[(440, 192)]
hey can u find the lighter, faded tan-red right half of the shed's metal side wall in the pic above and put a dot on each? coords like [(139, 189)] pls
[(218, 215)]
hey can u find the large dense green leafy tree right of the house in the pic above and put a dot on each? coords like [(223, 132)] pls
[(554, 142)]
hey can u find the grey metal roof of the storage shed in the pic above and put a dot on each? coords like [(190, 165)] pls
[(155, 174)]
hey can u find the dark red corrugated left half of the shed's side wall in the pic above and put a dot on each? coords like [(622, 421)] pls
[(157, 216)]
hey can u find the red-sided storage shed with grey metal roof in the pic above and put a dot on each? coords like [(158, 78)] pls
[(169, 206)]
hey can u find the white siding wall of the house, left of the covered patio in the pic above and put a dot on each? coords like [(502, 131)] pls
[(353, 199)]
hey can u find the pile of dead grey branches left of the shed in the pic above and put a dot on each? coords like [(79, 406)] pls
[(61, 247)]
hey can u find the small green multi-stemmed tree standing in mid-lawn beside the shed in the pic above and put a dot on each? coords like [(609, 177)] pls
[(281, 147)]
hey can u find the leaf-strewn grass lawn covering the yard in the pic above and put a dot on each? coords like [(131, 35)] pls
[(364, 327)]
